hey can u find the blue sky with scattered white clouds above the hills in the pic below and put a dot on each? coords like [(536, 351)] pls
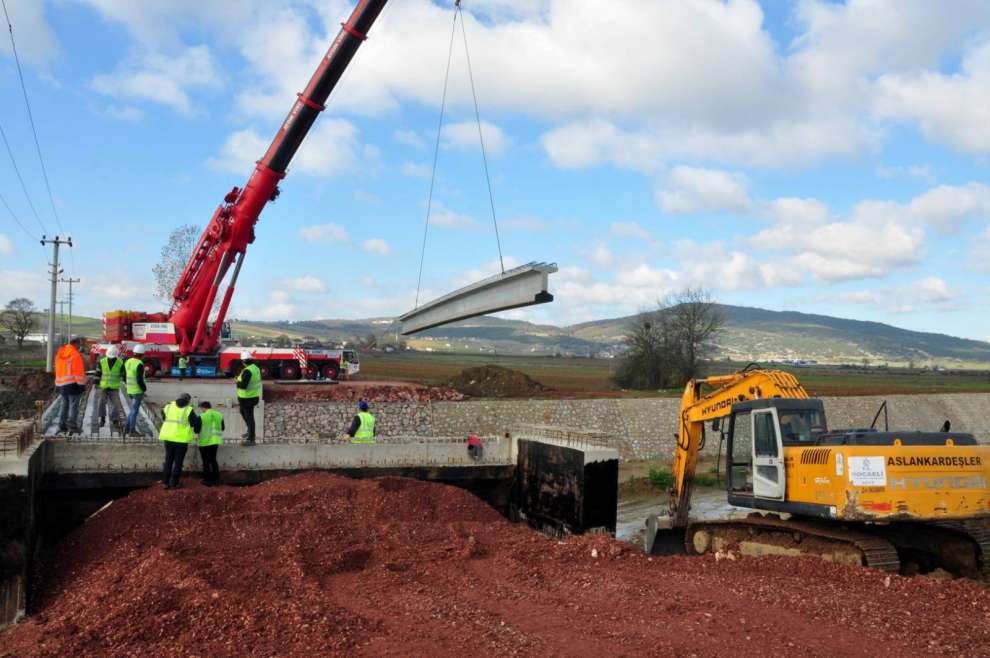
[(824, 157)]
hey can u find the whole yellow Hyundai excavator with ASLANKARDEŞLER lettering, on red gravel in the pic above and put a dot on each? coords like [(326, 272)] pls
[(902, 501)]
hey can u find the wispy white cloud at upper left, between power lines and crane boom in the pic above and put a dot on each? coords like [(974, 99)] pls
[(161, 79)]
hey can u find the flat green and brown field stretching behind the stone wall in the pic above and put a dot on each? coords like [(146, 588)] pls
[(577, 376)]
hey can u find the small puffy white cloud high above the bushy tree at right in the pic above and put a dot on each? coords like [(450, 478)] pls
[(693, 189)]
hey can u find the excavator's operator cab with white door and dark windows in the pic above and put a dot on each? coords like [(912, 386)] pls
[(755, 436)]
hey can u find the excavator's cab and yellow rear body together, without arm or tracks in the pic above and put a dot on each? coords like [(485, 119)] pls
[(781, 457)]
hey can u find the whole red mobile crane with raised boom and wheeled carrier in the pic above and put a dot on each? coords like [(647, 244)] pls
[(186, 329)]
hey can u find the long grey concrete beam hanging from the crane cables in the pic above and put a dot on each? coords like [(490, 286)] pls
[(521, 286)]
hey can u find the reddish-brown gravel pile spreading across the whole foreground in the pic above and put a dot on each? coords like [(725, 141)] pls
[(315, 565)]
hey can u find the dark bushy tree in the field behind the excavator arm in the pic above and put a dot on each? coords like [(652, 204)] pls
[(665, 348)]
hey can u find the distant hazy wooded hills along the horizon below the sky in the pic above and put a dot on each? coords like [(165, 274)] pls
[(750, 334)]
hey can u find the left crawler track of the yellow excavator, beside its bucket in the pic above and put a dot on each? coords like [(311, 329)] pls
[(875, 552)]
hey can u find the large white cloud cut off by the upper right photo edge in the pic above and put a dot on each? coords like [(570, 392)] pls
[(949, 108)]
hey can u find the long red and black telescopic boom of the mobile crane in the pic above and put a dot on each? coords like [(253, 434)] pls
[(223, 243)]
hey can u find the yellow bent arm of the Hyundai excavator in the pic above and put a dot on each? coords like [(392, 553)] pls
[(698, 407)]
